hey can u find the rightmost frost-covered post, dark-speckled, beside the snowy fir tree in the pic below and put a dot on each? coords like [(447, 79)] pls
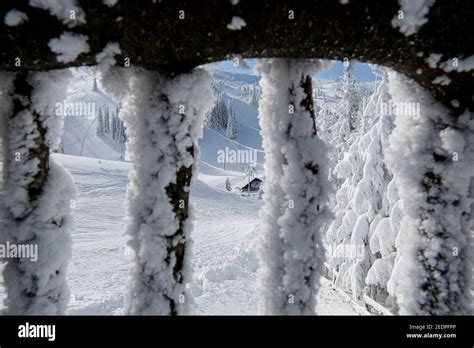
[(432, 160)]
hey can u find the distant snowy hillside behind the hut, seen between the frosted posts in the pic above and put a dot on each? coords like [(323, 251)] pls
[(80, 135)]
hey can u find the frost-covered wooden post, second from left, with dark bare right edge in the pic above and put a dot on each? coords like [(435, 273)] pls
[(164, 118)]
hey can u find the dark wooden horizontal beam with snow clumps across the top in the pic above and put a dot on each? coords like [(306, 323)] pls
[(153, 36)]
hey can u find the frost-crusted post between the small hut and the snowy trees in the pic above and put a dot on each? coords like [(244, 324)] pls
[(294, 210)]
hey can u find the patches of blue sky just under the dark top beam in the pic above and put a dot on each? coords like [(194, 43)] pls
[(361, 71)]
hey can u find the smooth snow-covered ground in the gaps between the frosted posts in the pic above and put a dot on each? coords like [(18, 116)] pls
[(224, 251)]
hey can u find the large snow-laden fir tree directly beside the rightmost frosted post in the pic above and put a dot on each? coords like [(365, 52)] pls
[(361, 203)]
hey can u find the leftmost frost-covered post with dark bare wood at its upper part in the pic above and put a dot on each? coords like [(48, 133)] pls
[(37, 197)]
